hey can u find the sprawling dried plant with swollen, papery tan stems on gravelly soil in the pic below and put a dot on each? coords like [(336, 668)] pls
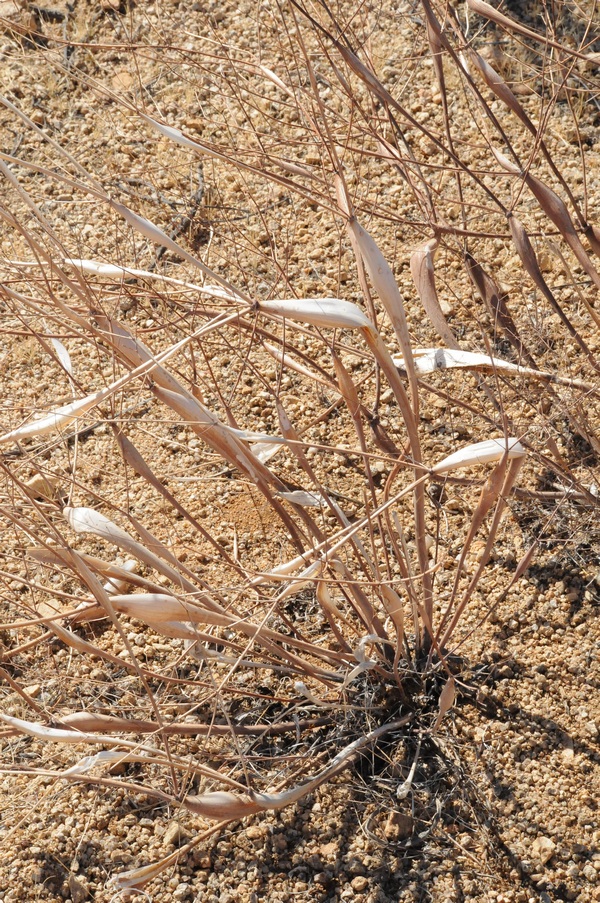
[(301, 411)]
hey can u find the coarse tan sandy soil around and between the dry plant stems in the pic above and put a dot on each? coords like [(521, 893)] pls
[(504, 805)]
